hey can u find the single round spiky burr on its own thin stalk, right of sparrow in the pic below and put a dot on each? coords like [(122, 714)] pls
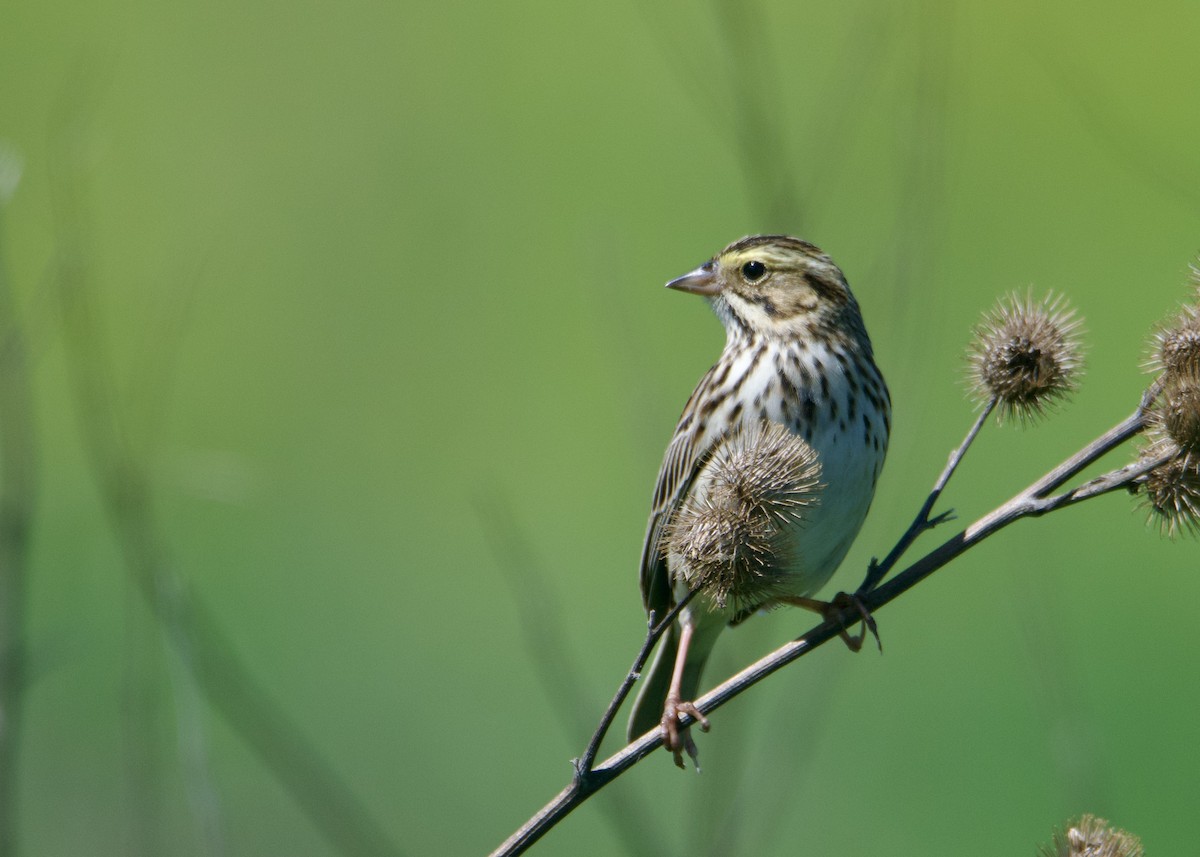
[(1027, 356)]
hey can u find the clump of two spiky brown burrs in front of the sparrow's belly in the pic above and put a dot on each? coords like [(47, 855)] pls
[(730, 540)]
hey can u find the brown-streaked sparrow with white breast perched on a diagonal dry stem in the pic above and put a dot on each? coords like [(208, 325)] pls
[(796, 355)]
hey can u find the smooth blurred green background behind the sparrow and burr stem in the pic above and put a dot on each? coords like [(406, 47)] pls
[(381, 296)]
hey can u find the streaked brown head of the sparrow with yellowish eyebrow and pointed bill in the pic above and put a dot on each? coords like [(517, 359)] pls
[(776, 287)]
